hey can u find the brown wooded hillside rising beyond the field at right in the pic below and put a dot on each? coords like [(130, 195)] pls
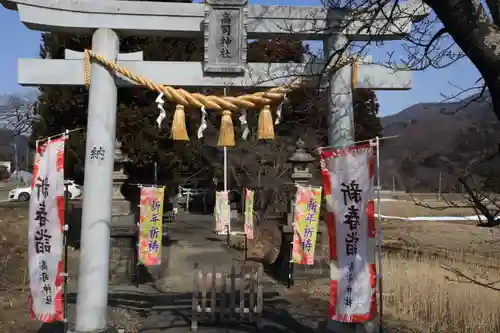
[(432, 131)]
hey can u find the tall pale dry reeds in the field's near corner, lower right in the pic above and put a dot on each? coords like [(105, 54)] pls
[(422, 291)]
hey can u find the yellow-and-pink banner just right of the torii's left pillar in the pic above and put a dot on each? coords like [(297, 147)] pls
[(150, 226)]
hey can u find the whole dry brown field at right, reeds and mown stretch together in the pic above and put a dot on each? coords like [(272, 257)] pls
[(440, 276)]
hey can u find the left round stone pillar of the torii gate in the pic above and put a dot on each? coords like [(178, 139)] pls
[(93, 274)]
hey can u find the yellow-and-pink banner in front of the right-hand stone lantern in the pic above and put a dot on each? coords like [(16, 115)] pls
[(305, 226)]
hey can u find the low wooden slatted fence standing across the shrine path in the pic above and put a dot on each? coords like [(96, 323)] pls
[(227, 297)]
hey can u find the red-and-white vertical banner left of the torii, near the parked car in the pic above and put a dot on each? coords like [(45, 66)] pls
[(45, 232)]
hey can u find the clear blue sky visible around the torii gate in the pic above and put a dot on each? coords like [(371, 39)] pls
[(428, 86)]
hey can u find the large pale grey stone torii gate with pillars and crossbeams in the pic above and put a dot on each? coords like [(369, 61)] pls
[(104, 19)]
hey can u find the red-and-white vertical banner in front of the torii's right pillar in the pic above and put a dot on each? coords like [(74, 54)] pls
[(348, 182)]
